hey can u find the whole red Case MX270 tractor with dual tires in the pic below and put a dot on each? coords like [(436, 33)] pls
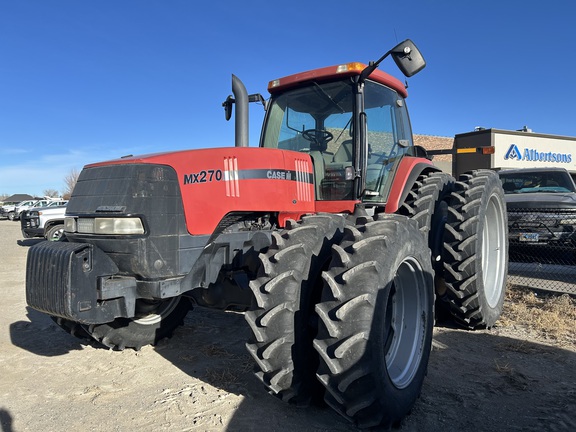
[(337, 237)]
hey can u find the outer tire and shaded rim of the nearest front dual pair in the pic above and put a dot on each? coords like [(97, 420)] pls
[(376, 321)]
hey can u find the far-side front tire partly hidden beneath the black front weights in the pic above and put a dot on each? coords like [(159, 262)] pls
[(155, 321)]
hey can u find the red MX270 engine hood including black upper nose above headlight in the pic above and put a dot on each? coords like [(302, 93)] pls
[(210, 181)]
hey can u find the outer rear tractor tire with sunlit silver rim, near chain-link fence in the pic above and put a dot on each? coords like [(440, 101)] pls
[(476, 250)]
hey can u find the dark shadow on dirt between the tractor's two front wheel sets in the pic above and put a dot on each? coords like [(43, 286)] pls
[(210, 347)]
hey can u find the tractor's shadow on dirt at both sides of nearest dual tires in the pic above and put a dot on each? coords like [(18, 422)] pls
[(476, 380)]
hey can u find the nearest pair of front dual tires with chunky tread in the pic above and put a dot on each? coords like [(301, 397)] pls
[(345, 311)]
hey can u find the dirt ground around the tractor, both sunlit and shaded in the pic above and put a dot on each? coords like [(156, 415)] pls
[(505, 379)]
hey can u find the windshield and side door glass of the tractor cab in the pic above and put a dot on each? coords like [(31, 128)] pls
[(319, 120)]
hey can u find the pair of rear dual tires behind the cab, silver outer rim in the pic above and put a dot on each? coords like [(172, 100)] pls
[(465, 222)]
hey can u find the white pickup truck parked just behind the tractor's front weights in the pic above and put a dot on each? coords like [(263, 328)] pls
[(47, 222)]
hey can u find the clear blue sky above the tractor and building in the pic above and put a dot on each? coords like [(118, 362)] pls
[(84, 80)]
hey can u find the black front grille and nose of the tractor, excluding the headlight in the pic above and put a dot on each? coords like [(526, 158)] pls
[(148, 191)]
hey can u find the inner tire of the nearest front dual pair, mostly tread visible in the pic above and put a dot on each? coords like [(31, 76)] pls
[(283, 322)]
